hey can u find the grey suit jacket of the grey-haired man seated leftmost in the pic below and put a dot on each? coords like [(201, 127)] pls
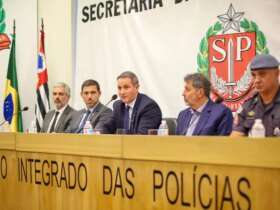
[(63, 122)]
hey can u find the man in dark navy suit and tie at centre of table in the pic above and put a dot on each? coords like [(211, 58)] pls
[(135, 111)]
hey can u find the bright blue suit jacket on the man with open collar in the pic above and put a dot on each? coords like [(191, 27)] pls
[(215, 119)]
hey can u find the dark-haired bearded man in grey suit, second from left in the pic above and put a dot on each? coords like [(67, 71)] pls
[(95, 112)]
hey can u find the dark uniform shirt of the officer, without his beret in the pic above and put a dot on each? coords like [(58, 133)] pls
[(255, 109)]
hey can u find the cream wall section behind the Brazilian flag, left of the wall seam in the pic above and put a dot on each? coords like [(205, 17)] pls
[(25, 15)]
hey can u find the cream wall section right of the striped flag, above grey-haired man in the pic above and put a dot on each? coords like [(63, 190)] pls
[(57, 16)]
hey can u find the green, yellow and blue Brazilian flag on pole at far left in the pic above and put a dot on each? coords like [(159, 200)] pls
[(12, 113)]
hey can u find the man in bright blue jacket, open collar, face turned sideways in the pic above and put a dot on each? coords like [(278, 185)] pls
[(203, 116)]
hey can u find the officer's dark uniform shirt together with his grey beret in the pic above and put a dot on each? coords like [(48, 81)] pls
[(254, 107)]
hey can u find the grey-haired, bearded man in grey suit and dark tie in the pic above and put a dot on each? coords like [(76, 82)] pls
[(58, 119)]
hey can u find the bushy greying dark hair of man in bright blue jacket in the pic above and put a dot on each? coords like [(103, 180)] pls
[(199, 81)]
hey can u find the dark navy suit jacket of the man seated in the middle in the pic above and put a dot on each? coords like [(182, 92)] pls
[(146, 115)]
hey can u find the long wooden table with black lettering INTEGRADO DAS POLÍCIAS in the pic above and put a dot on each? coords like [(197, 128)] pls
[(123, 172)]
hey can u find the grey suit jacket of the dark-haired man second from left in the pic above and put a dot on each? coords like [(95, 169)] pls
[(100, 115)]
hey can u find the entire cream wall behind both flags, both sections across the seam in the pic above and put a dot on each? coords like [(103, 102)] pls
[(57, 15)]
